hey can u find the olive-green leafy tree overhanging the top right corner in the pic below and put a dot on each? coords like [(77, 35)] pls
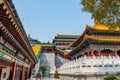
[(105, 12)]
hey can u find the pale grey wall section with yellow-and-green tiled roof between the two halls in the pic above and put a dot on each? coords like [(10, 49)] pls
[(45, 53)]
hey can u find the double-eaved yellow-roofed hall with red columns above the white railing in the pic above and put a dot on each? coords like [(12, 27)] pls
[(96, 41)]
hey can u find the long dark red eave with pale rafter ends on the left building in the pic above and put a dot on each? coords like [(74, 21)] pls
[(13, 21)]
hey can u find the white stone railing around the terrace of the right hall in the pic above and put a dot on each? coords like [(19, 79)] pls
[(99, 65)]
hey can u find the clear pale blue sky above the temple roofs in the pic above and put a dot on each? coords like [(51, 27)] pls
[(44, 19)]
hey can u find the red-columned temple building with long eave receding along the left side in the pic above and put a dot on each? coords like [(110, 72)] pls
[(17, 58)]
